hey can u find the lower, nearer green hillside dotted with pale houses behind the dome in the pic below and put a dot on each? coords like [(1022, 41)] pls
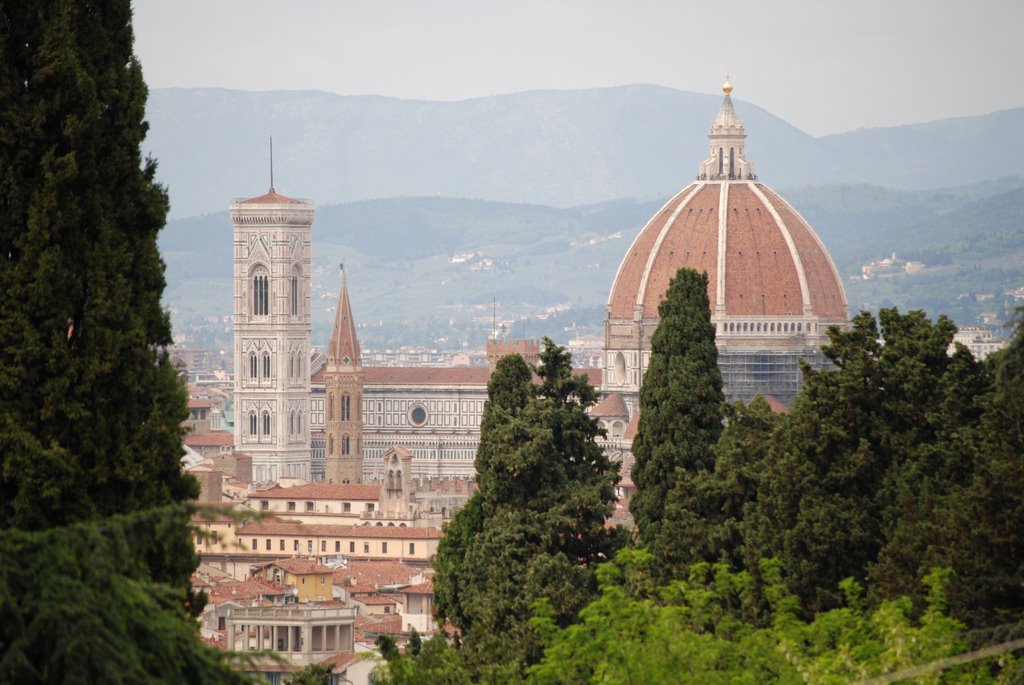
[(429, 269)]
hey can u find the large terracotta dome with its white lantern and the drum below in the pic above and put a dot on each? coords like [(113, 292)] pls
[(773, 287)]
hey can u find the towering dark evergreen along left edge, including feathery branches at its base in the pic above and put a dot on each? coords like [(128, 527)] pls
[(96, 554)]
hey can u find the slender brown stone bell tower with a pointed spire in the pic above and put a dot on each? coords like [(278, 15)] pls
[(344, 405)]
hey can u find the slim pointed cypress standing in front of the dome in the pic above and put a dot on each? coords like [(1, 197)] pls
[(681, 405)]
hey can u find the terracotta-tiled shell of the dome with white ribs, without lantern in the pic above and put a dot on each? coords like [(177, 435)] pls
[(762, 275)]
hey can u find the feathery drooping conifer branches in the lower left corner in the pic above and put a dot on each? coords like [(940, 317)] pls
[(79, 607)]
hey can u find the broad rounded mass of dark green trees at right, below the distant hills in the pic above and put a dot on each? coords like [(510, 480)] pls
[(901, 461)]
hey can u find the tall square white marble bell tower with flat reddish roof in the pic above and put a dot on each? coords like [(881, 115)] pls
[(272, 333)]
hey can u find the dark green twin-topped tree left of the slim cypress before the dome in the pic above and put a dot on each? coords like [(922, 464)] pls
[(537, 527)]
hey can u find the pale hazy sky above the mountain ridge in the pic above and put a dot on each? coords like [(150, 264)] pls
[(824, 66)]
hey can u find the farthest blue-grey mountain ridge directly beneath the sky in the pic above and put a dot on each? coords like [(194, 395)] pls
[(560, 149)]
